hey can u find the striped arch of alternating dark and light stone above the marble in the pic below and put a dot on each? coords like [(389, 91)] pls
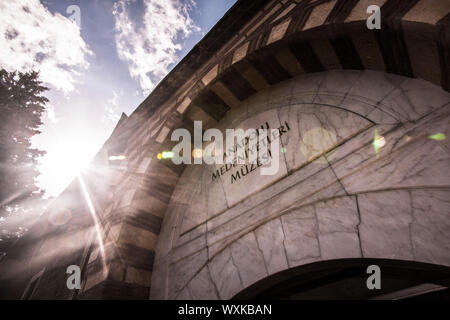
[(300, 42)]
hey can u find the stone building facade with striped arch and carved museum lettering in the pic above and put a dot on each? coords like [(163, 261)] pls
[(337, 203)]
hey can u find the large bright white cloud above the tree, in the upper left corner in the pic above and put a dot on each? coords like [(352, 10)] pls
[(31, 37)]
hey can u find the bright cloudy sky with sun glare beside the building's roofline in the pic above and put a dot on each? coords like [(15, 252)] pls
[(98, 58)]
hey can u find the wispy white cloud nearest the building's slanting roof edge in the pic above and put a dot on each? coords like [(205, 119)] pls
[(150, 48)]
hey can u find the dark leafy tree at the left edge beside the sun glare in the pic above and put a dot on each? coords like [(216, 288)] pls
[(21, 107)]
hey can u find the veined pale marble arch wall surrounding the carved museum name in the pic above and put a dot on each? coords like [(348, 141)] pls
[(355, 203)]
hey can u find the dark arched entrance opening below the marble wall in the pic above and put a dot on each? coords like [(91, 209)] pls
[(347, 279)]
